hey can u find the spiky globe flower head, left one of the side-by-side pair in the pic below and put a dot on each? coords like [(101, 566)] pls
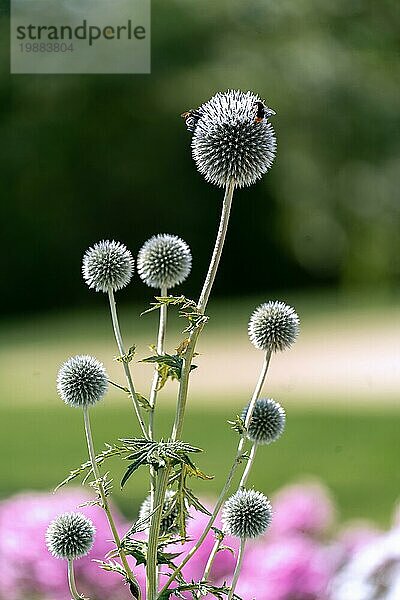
[(108, 266)]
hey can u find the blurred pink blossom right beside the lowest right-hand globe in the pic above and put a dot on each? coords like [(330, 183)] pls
[(305, 508)]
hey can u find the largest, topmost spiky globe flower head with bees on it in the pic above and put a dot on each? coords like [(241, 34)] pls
[(232, 138)]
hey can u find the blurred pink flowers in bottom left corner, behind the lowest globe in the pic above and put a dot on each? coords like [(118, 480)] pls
[(28, 569)]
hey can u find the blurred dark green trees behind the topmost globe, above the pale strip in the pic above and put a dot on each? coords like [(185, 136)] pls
[(87, 157)]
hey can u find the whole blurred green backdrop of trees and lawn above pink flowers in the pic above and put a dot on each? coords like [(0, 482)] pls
[(88, 157)]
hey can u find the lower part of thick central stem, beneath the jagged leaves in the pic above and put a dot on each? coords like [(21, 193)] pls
[(155, 523)]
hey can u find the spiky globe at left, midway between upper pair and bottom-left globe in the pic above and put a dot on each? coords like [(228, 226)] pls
[(82, 381)]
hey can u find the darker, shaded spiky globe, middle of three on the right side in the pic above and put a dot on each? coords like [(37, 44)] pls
[(267, 421)]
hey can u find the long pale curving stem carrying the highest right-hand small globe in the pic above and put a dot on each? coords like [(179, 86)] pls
[(236, 463)]
